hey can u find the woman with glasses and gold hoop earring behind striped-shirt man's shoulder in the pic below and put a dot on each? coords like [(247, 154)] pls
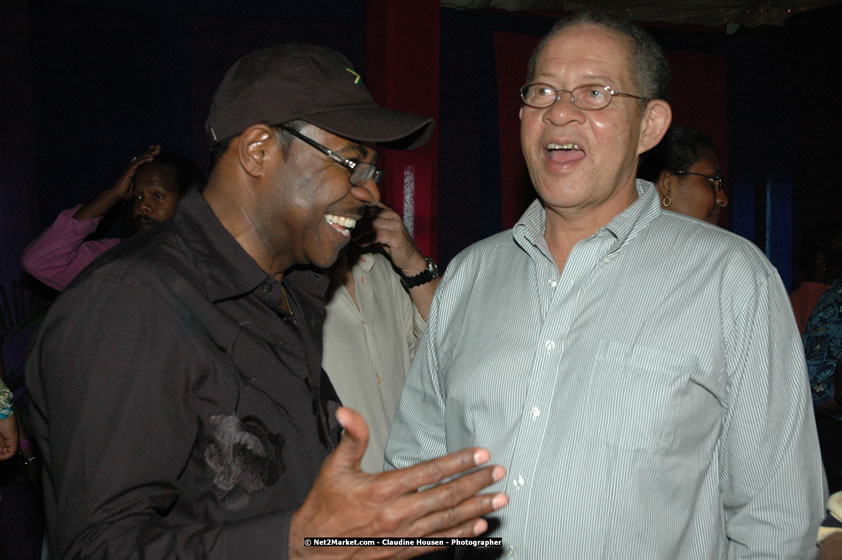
[(685, 169)]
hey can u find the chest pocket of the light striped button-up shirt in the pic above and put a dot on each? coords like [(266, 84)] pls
[(634, 395)]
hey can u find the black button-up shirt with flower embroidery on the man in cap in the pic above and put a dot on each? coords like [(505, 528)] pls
[(180, 411)]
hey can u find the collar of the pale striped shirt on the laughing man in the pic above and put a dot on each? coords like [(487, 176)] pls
[(623, 227)]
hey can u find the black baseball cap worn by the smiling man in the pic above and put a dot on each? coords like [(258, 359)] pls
[(312, 83)]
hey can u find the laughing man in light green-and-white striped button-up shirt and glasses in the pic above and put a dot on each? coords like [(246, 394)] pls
[(638, 372)]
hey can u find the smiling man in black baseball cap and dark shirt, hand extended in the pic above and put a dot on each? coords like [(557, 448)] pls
[(188, 415)]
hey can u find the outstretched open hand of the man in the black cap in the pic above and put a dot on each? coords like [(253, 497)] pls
[(347, 502)]
